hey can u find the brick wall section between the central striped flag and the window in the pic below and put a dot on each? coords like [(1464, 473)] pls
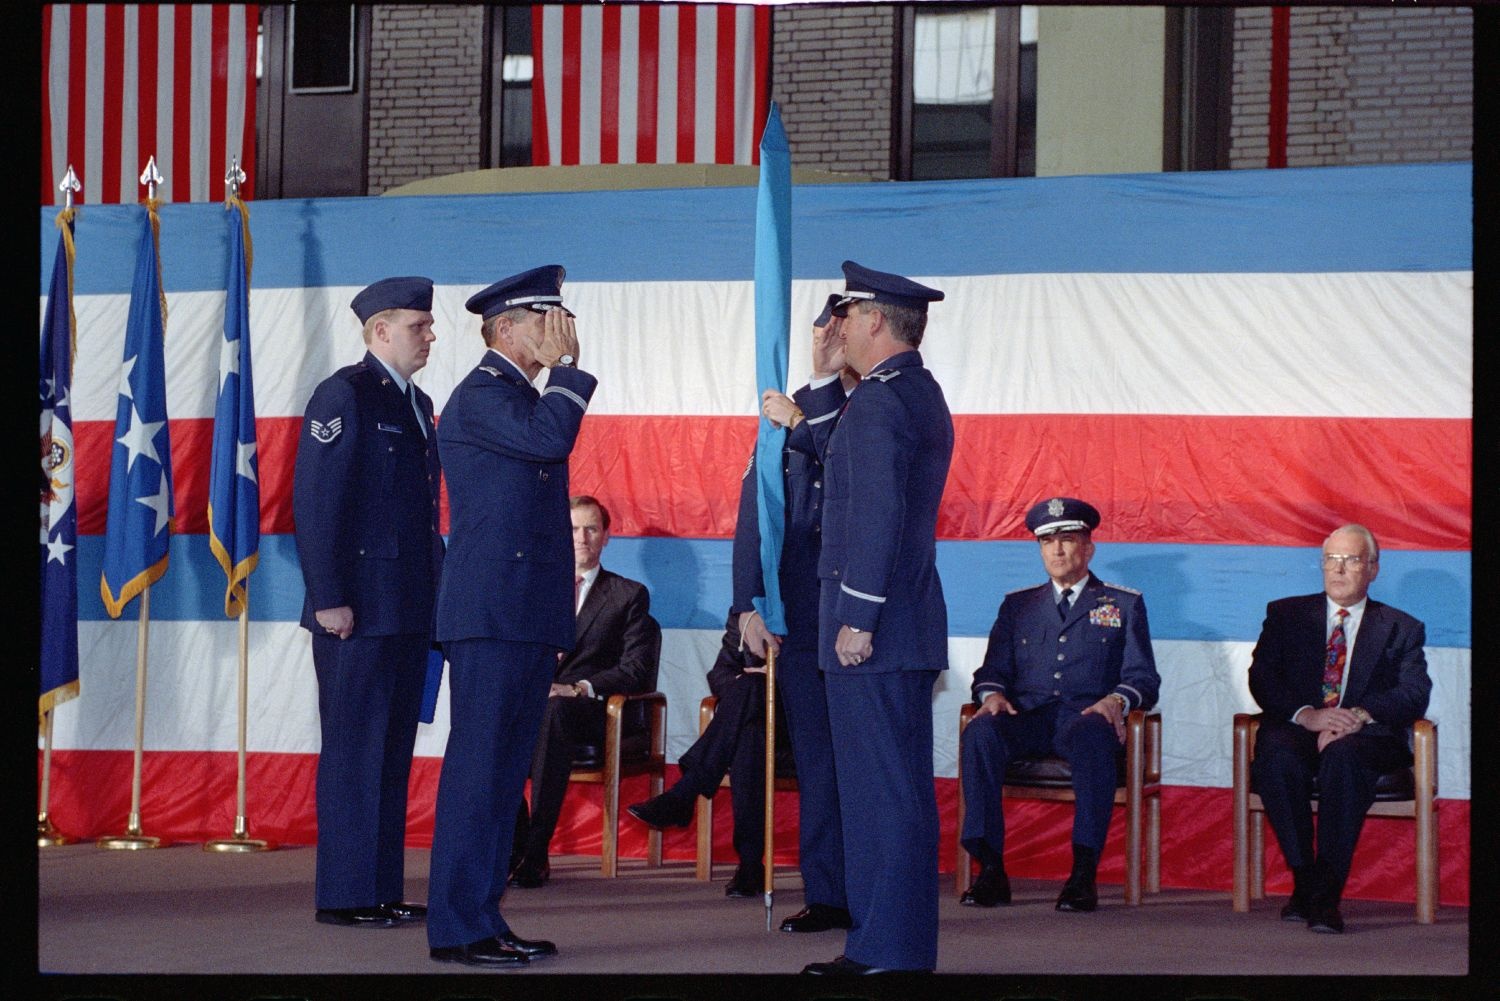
[(833, 74)]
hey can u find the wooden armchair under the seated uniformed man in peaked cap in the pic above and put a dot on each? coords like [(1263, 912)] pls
[(1139, 793)]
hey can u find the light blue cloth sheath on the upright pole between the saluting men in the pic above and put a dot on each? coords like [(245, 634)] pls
[(773, 325)]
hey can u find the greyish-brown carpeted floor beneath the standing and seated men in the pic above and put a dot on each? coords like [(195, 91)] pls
[(185, 912)]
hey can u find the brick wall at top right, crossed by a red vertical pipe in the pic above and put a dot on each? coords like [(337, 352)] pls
[(1366, 86)]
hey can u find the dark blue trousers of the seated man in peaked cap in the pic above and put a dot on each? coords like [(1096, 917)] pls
[(992, 742)]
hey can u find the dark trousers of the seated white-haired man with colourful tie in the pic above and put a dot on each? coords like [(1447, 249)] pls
[(1288, 762)]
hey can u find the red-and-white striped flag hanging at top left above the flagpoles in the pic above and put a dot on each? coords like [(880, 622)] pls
[(122, 83)]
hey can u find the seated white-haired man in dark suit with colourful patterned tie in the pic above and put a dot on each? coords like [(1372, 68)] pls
[(1342, 679)]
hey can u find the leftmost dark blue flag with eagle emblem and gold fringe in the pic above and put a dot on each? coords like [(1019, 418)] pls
[(59, 513)]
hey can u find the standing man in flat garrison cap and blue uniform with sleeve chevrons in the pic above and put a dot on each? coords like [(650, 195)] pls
[(365, 500)]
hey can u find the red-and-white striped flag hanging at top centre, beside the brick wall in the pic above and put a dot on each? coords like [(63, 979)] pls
[(650, 83)]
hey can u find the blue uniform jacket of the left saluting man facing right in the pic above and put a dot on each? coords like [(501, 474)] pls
[(509, 573)]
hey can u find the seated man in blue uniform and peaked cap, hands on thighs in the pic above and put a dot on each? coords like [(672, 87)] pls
[(1067, 663)]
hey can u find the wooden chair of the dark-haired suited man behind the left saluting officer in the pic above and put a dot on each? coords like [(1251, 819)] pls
[(628, 754)]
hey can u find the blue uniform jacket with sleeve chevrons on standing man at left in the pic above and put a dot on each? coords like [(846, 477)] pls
[(365, 502)]
